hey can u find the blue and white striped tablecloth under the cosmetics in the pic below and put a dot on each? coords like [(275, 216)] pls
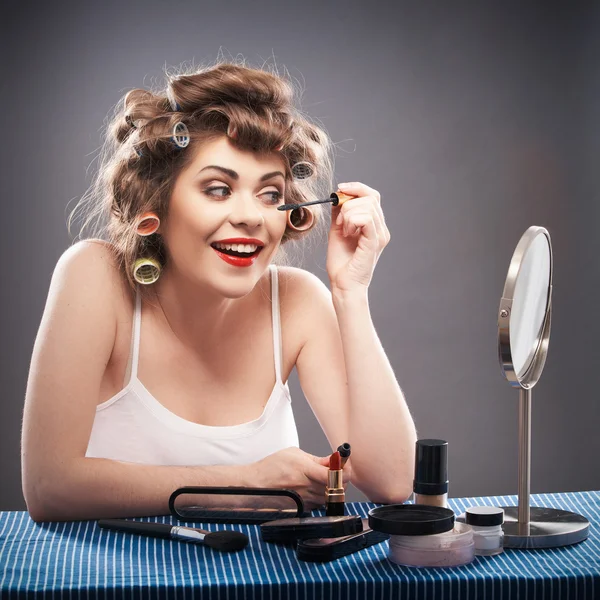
[(80, 560)]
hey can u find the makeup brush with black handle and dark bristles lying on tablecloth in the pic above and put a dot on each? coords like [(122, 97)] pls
[(225, 541)]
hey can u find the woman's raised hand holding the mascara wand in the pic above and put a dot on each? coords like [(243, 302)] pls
[(357, 237)]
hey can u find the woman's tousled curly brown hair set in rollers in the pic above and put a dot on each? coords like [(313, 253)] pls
[(140, 163)]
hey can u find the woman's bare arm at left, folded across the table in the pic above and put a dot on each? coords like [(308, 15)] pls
[(73, 346)]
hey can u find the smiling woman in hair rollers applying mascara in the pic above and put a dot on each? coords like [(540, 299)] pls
[(161, 357)]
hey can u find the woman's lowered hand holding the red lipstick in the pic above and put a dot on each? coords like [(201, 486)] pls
[(294, 469)]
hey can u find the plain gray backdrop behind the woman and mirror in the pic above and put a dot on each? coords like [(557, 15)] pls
[(473, 123)]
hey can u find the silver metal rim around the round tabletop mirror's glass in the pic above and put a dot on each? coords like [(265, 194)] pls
[(537, 357)]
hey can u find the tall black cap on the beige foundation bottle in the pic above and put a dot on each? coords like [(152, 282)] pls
[(431, 467)]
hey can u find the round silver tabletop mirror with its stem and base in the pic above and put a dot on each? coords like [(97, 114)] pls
[(523, 334)]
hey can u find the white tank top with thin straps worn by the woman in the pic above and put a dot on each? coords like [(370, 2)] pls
[(133, 426)]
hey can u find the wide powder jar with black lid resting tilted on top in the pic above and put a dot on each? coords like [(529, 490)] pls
[(424, 536)]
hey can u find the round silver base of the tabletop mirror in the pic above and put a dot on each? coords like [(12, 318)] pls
[(547, 528)]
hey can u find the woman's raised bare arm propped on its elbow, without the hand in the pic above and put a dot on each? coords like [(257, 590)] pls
[(351, 386)]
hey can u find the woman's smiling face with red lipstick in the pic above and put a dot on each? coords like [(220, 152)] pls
[(211, 205)]
